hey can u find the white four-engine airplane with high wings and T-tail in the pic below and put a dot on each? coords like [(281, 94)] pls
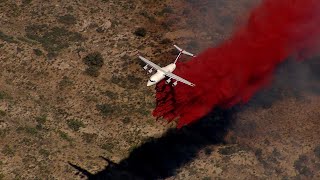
[(163, 72)]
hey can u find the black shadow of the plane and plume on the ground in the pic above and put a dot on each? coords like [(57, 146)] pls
[(159, 158)]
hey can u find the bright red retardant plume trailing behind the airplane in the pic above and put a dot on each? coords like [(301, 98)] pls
[(232, 72)]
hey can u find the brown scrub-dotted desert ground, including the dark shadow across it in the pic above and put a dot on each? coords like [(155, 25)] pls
[(73, 96)]
